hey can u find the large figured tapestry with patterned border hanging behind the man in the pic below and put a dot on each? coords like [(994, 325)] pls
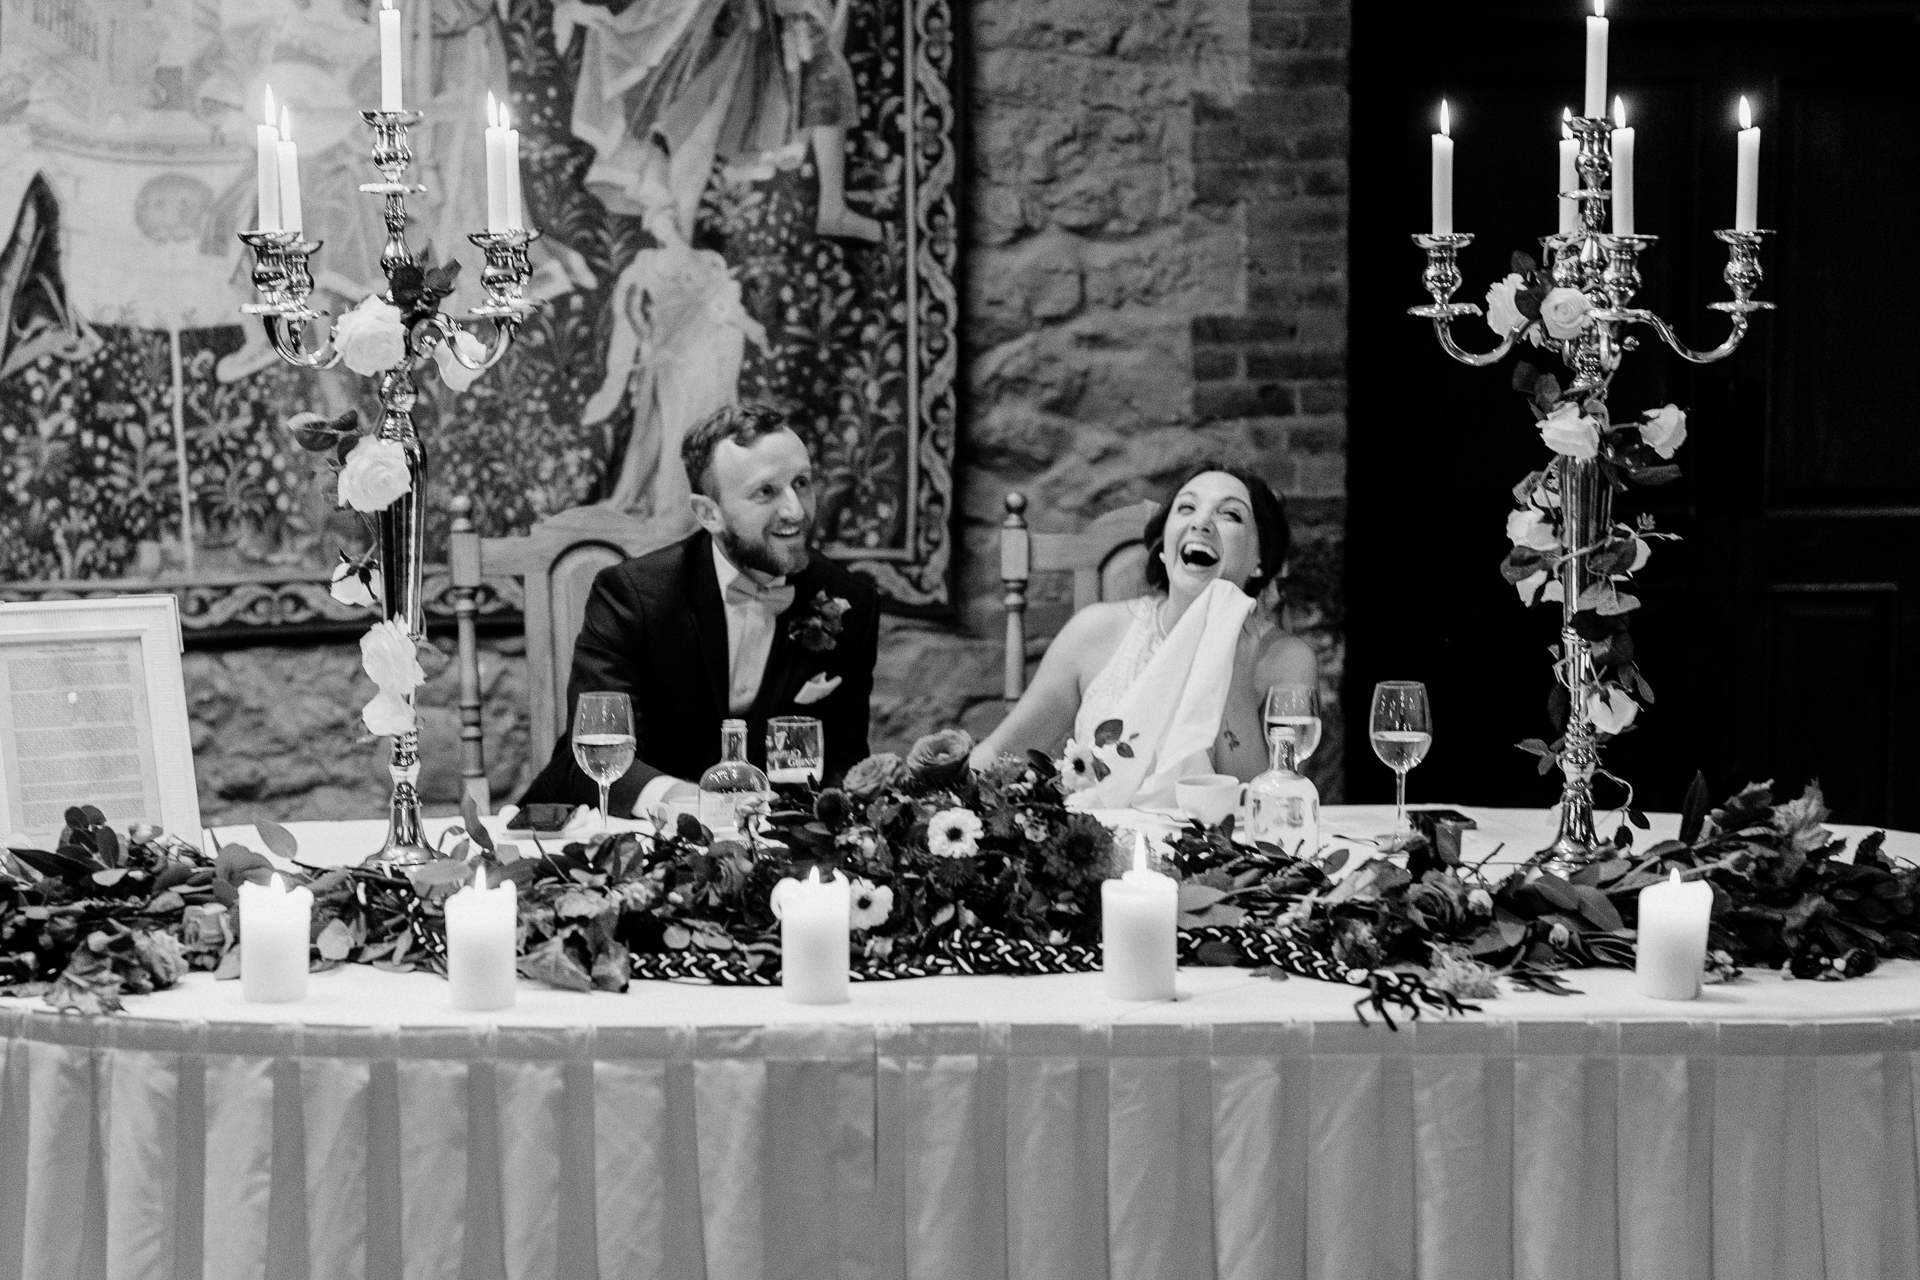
[(740, 199)]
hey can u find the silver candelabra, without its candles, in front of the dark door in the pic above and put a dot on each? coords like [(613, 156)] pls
[(1606, 268)]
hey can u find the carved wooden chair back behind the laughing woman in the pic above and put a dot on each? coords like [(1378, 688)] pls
[(1107, 559)]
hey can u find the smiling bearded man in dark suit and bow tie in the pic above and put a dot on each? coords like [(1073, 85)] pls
[(736, 623)]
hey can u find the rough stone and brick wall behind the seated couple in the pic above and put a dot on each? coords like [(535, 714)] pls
[(1157, 275)]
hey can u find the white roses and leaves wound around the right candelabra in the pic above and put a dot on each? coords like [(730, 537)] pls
[(1577, 425)]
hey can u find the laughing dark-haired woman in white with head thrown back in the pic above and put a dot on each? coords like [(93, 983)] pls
[(1222, 527)]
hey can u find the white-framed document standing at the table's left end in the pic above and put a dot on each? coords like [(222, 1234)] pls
[(93, 711)]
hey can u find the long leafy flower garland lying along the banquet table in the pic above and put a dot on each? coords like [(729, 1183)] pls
[(967, 872)]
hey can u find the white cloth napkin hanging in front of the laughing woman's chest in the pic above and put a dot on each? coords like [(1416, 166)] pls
[(1172, 713)]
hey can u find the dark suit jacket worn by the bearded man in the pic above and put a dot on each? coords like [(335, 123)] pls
[(656, 630)]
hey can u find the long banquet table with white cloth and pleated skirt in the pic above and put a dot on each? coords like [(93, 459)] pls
[(967, 1129)]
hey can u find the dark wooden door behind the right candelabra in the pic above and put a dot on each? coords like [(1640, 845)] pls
[(1783, 634)]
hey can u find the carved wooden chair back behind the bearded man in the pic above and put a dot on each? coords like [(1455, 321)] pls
[(556, 563)]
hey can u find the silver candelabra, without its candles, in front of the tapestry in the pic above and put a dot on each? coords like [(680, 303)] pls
[(285, 285)]
